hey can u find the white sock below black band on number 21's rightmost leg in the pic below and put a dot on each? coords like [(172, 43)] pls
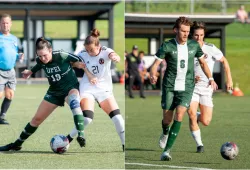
[(119, 125)]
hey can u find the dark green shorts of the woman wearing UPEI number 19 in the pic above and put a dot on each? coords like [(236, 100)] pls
[(58, 99)]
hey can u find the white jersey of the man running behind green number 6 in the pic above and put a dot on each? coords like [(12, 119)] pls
[(212, 54)]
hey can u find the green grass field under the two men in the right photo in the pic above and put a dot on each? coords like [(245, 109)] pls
[(230, 123)]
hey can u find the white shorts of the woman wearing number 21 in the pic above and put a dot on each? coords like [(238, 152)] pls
[(100, 96)]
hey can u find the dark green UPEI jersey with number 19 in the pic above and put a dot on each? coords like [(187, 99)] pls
[(59, 72)]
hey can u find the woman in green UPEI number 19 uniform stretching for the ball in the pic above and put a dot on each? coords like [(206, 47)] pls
[(63, 87)]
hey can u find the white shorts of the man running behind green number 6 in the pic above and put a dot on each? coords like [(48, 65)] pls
[(203, 95)]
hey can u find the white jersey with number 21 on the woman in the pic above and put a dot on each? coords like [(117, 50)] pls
[(100, 67)]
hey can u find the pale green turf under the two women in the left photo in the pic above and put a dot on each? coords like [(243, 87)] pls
[(103, 148)]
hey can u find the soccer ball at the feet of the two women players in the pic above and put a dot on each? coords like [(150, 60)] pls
[(59, 144)]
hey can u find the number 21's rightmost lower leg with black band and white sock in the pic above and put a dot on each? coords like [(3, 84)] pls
[(118, 121)]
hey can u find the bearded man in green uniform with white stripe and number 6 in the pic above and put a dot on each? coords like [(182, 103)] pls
[(178, 82)]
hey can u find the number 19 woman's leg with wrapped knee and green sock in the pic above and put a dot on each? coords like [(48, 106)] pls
[(74, 103)]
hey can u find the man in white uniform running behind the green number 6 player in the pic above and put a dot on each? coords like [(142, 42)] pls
[(202, 96)]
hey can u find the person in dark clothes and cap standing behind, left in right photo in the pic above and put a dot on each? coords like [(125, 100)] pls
[(132, 62)]
